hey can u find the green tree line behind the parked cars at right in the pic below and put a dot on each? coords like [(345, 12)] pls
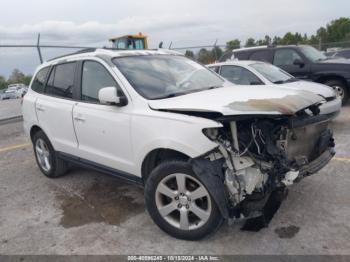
[(334, 34)]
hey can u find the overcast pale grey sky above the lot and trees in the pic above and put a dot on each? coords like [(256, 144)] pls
[(182, 22)]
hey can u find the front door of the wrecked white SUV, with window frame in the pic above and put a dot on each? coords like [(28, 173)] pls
[(103, 131)]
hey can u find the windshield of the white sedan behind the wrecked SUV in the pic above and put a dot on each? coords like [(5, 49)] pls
[(272, 73)]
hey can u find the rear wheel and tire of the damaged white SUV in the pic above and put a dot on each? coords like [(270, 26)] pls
[(46, 157)]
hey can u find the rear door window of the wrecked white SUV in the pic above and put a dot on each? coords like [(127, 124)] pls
[(61, 80)]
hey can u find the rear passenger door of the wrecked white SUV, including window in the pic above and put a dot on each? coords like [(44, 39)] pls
[(54, 107)]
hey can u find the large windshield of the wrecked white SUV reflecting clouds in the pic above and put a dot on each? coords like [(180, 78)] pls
[(162, 76)]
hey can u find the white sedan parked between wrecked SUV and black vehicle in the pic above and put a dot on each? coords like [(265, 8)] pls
[(246, 72)]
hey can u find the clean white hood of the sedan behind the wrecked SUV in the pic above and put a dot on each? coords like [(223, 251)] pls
[(313, 87)]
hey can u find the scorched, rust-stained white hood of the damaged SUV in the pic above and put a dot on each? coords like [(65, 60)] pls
[(241, 100)]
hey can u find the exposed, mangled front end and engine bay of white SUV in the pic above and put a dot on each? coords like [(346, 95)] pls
[(259, 155)]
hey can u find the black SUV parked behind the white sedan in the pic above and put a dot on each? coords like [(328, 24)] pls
[(302, 61)]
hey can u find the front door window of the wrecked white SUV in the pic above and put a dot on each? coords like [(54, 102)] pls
[(94, 77)]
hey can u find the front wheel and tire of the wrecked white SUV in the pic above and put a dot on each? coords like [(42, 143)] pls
[(179, 203)]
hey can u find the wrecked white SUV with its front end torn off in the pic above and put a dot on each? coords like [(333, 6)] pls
[(205, 150)]
